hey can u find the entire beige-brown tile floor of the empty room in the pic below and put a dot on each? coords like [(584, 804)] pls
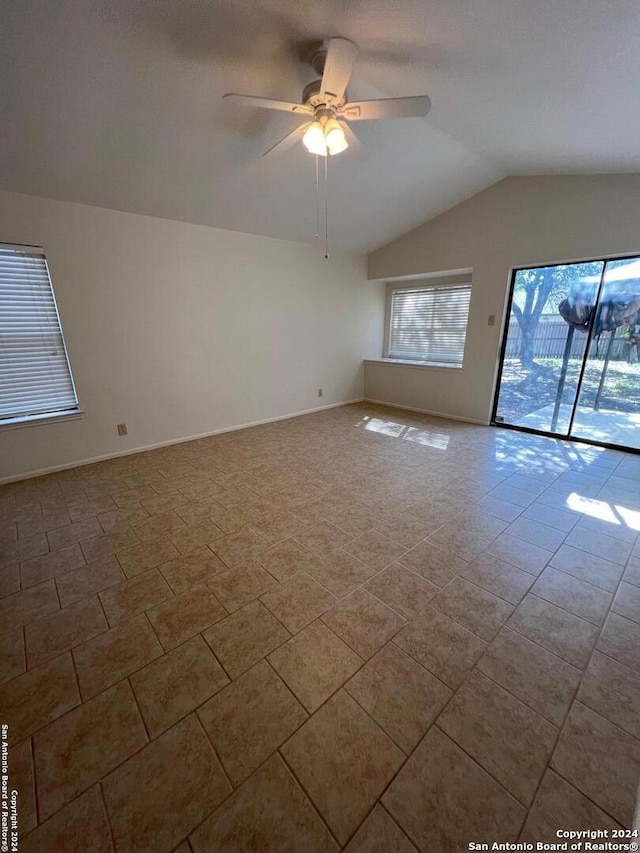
[(361, 629)]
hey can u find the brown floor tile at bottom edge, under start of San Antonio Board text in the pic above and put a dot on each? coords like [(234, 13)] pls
[(442, 798)]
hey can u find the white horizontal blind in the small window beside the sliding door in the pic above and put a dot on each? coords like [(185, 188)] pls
[(430, 323)]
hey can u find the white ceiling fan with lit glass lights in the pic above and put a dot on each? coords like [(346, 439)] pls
[(325, 106)]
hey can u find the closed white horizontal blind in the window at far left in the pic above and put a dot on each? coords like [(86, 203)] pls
[(35, 377)]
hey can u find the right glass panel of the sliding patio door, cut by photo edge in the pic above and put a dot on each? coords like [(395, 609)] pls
[(608, 408)]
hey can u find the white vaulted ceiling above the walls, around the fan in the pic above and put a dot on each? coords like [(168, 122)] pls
[(118, 103)]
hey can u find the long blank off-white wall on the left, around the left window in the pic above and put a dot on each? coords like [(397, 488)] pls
[(180, 330)]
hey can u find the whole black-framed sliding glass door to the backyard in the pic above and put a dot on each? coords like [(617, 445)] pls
[(570, 357)]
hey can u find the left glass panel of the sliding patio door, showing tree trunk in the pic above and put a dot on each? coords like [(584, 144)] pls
[(543, 353)]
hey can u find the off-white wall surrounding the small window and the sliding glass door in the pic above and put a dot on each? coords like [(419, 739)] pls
[(517, 222)]
